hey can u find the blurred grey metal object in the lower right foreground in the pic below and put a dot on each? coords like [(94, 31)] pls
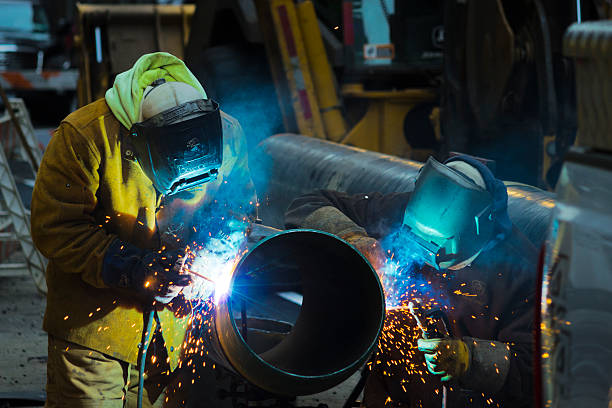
[(575, 353)]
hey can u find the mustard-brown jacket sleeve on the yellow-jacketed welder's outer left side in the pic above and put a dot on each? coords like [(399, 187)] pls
[(63, 225)]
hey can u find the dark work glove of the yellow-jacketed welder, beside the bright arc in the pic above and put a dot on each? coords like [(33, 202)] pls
[(153, 275)]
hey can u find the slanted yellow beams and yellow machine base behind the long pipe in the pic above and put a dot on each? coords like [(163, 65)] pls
[(295, 44)]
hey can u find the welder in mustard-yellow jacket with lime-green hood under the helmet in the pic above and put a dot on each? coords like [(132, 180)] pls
[(102, 214)]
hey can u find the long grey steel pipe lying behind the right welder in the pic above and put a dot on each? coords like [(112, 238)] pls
[(289, 165)]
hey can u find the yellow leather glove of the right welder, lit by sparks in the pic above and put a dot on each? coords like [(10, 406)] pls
[(448, 357)]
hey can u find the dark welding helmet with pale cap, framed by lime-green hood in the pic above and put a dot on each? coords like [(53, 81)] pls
[(179, 142)]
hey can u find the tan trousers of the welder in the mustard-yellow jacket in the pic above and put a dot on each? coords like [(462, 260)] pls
[(80, 377)]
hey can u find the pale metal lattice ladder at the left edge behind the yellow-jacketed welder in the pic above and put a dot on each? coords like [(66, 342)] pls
[(14, 216)]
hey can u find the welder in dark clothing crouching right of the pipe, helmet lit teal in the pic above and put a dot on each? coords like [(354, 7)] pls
[(455, 218)]
